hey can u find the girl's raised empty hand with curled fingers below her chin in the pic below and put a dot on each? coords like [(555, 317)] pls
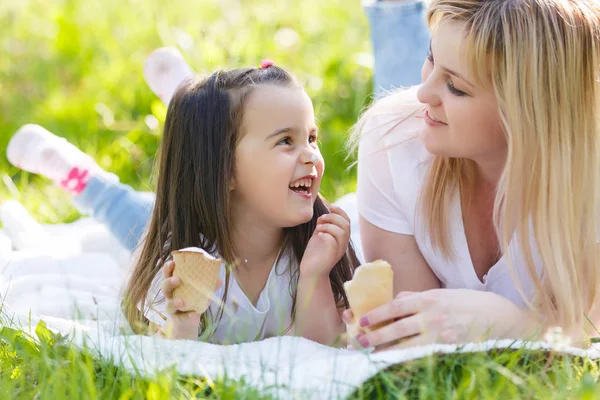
[(328, 243)]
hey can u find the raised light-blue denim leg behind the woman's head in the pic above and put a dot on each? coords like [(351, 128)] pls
[(400, 42)]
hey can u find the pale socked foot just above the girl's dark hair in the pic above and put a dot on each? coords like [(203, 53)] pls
[(164, 70)]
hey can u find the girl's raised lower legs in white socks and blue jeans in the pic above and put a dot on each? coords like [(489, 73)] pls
[(124, 211)]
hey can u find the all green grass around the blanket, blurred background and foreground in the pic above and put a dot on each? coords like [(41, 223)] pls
[(75, 68)]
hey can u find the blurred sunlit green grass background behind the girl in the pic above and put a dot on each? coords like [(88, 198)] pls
[(75, 67)]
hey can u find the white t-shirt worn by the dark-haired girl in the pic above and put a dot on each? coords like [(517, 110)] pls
[(241, 320)]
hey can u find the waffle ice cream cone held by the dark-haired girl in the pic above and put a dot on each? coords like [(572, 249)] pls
[(199, 274)]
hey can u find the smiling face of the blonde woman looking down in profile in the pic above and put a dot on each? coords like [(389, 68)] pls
[(461, 117)]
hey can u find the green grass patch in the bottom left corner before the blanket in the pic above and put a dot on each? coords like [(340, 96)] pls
[(51, 368)]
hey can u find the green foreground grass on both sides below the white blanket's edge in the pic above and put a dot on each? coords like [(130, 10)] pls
[(48, 367)]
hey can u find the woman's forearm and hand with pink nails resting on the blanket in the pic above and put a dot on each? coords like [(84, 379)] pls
[(443, 316)]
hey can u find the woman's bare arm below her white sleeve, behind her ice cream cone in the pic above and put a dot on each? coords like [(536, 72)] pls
[(411, 271)]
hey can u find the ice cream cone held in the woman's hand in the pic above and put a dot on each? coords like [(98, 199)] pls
[(372, 286)]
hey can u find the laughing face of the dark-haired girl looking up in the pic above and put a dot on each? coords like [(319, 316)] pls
[(278, 166)]
